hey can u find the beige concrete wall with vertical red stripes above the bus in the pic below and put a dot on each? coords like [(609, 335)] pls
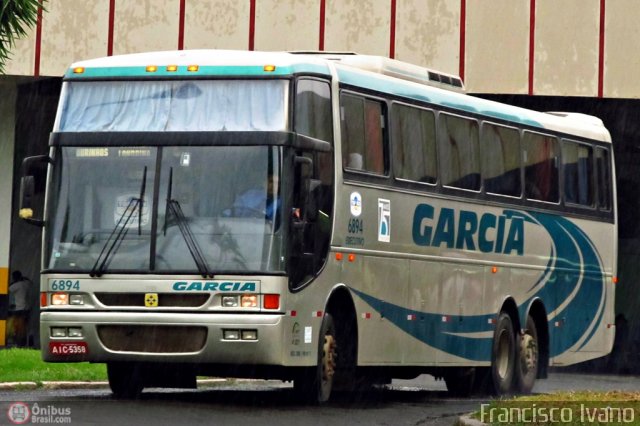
[(540, 47)]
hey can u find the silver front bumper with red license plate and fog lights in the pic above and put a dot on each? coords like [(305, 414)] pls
[(254, 339)]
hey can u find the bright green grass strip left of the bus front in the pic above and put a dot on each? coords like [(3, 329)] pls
[(26, 365)]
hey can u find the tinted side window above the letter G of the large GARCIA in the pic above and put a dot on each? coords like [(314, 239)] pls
[(414, 144)]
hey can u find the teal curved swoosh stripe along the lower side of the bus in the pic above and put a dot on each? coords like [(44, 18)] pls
[(575, 265)]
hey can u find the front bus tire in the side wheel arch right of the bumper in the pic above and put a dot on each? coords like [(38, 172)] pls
[(314, 384)]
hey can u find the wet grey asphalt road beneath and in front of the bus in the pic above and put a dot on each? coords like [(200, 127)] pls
[(422, 401)]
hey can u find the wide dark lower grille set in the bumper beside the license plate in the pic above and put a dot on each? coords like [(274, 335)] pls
[(152, 338)]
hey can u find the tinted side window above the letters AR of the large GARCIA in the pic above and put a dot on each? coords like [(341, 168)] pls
[(460, 166)]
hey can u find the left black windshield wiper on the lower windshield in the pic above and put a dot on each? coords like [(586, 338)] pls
[(120, 230)]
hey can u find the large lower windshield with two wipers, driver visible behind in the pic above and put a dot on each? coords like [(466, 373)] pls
[(166, 209)]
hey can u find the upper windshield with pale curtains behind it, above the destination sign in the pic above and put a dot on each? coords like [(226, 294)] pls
[(156, 106)]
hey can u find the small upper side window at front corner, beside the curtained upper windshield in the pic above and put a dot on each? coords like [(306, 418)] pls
[(313, 109)]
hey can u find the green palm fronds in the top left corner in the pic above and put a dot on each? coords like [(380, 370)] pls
[(16, 18)]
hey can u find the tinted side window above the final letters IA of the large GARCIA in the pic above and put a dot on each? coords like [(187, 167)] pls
[(501, 160)]
